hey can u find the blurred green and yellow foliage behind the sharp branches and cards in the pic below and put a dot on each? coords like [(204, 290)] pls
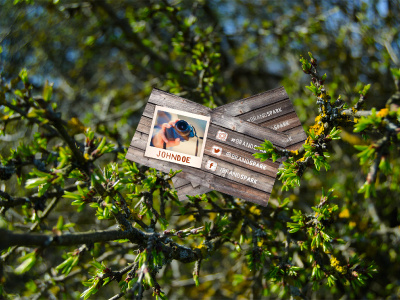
[(104, 57)]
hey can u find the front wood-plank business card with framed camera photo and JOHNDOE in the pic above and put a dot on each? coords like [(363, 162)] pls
[(225, 145)]
